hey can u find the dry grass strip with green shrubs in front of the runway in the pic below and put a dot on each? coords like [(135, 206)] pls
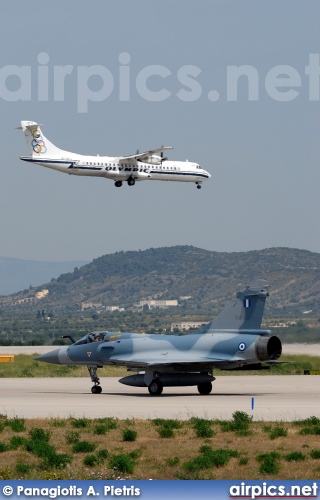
[(46, 451)]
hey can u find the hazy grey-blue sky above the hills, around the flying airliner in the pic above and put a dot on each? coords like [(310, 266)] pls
[(258, 135)]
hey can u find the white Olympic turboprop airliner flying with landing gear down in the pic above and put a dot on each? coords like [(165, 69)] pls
[(150, 165)]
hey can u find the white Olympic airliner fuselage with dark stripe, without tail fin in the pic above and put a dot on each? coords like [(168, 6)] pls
[(121, 170)]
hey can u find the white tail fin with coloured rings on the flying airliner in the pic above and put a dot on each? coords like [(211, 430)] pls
[(38, 144)]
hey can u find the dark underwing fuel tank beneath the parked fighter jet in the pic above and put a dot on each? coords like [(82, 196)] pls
[(170, 379)]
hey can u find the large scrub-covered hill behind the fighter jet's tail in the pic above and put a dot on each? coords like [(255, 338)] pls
[(210, 278)]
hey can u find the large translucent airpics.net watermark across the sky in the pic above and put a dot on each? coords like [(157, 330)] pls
[(45, 82)]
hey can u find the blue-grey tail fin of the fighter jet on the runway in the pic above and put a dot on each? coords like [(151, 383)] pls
[(245, 312)]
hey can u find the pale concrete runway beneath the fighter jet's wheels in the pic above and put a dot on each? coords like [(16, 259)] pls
[(276, 397)]
